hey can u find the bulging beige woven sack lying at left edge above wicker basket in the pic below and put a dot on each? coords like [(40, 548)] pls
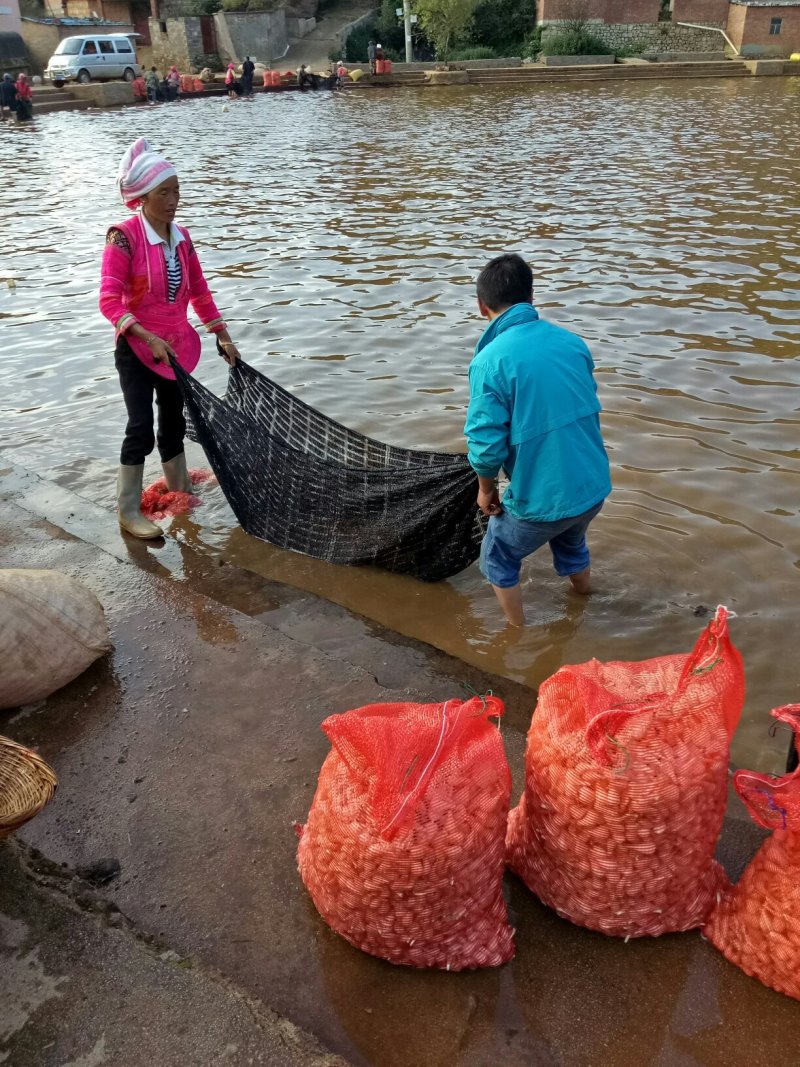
[(52, 629)]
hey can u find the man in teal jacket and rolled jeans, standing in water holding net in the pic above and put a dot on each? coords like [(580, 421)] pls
[(534, 412)]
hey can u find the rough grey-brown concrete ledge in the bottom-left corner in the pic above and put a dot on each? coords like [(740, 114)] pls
[(81, 989)]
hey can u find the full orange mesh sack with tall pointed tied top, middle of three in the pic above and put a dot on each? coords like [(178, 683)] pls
[(626, 789)]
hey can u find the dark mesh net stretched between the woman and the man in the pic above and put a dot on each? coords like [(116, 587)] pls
[(303, 482)]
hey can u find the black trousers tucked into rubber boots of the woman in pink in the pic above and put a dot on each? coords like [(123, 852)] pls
[(138, 385)]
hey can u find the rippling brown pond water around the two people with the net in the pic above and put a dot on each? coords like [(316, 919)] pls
[(343, 235)]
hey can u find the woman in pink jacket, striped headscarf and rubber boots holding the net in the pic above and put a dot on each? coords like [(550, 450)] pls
[(151, 276)]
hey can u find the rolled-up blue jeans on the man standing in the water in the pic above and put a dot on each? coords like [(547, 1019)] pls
[(509, 540)]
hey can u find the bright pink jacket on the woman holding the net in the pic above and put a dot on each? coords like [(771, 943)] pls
[(135, 289)]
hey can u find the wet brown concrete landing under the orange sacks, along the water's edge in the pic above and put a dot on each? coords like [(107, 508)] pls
[(191, 751)]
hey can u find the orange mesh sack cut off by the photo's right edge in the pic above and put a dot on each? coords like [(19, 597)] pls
[(756, 925)]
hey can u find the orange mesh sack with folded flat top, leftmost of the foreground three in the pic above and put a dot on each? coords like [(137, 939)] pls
[(404, 849)]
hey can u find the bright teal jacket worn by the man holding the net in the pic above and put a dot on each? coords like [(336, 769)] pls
[(534, 412)]
